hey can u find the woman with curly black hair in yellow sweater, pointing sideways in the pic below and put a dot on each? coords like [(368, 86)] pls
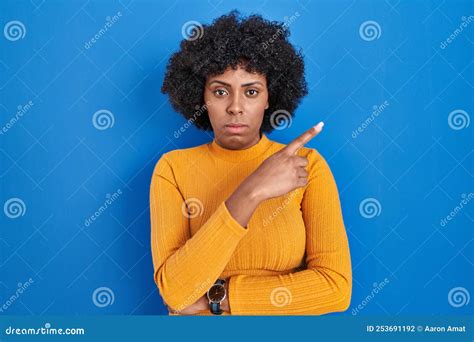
[(244, 225)]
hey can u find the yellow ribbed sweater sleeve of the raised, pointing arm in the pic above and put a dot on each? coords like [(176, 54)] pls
[(186, 267)]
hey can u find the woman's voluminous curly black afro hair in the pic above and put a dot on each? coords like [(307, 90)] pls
[(252, 42)]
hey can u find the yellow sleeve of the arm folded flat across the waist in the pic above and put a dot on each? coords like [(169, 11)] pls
[(325, 285)]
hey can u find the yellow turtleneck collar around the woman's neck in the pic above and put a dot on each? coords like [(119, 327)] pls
[(240, 155)]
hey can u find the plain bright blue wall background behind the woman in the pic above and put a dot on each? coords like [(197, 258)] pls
[(409, 158)]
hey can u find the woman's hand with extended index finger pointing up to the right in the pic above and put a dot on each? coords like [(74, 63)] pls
[(283, 171)]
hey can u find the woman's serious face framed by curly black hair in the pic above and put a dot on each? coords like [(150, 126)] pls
[(236, 101)]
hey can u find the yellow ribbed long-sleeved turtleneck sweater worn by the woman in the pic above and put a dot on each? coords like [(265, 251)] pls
[(292, 259)]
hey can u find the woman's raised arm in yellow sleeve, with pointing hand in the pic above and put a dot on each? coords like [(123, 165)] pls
[(175, 253)]
